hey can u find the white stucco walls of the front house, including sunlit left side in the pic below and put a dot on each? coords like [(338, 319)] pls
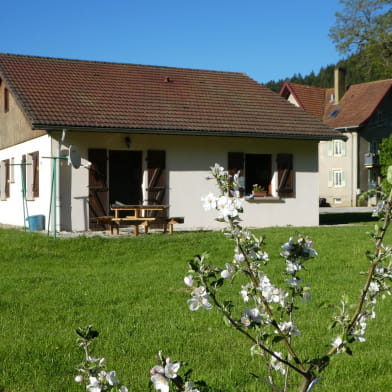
[(187, 165)]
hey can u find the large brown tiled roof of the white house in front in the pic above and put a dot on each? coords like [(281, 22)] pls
[(56, 93)]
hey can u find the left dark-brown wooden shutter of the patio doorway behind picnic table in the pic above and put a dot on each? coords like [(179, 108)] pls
[(98, 189)]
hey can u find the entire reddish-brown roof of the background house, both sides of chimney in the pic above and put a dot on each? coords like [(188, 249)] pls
[(354, 109)]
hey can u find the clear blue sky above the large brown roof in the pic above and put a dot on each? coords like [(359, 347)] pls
[(266, 39)]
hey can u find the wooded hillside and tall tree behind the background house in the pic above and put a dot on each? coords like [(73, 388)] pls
[(362, 35)]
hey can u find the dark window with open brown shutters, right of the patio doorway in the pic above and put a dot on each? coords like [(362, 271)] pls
[(258, 169)]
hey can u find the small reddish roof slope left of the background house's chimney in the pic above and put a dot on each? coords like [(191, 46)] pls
[(309, 98)]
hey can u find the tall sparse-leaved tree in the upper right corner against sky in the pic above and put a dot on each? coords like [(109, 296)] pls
[(364, 28)]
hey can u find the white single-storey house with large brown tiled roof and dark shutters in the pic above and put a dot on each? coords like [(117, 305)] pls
[(148, 135)]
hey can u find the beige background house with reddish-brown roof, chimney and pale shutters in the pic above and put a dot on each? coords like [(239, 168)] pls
[(363, 114)]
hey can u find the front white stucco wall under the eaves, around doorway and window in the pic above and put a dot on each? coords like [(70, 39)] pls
[(187, 164)]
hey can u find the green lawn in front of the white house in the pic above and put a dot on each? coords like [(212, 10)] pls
[(131, 289)]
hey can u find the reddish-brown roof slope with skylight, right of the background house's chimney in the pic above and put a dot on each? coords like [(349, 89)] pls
[(357, 105)]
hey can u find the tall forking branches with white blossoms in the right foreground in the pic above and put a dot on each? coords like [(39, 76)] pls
[(264, 324)]
